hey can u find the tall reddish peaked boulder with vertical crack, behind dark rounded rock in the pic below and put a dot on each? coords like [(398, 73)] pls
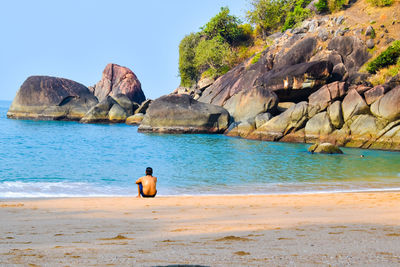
[(119, 80)]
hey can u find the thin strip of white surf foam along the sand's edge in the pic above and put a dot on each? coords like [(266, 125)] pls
[(20, 189)]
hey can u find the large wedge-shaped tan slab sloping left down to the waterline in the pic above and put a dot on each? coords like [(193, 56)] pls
[(289, 121)]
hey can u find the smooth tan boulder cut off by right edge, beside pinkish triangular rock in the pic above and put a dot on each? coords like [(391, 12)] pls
[(388, 107)]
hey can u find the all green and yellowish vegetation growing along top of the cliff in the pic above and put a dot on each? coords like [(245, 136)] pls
[(225, 41)]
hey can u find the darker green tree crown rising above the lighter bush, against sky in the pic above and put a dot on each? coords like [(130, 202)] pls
[(224, 26)]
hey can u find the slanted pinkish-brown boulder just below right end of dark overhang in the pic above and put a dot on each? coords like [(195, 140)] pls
[(321, 99)]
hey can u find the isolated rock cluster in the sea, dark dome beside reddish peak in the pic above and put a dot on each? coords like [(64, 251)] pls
[(114, 98)]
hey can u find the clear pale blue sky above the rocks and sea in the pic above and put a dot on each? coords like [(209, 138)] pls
[(76, 39)]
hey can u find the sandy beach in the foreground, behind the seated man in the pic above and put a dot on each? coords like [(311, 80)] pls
[(358, 229)]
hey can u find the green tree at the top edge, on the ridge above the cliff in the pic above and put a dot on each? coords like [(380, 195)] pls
[(268, 15)]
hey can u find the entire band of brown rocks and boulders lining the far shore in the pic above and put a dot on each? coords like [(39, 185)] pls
[(305, 87)]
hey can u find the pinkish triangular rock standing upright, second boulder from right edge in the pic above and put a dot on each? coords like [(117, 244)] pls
[(353, 104)]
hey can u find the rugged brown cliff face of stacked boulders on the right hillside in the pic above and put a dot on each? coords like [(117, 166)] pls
[(307, 87)]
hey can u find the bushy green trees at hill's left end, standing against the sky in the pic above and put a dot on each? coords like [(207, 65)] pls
[(210, 50)]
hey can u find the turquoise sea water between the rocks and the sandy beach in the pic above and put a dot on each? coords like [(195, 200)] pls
[(54, 159)]
